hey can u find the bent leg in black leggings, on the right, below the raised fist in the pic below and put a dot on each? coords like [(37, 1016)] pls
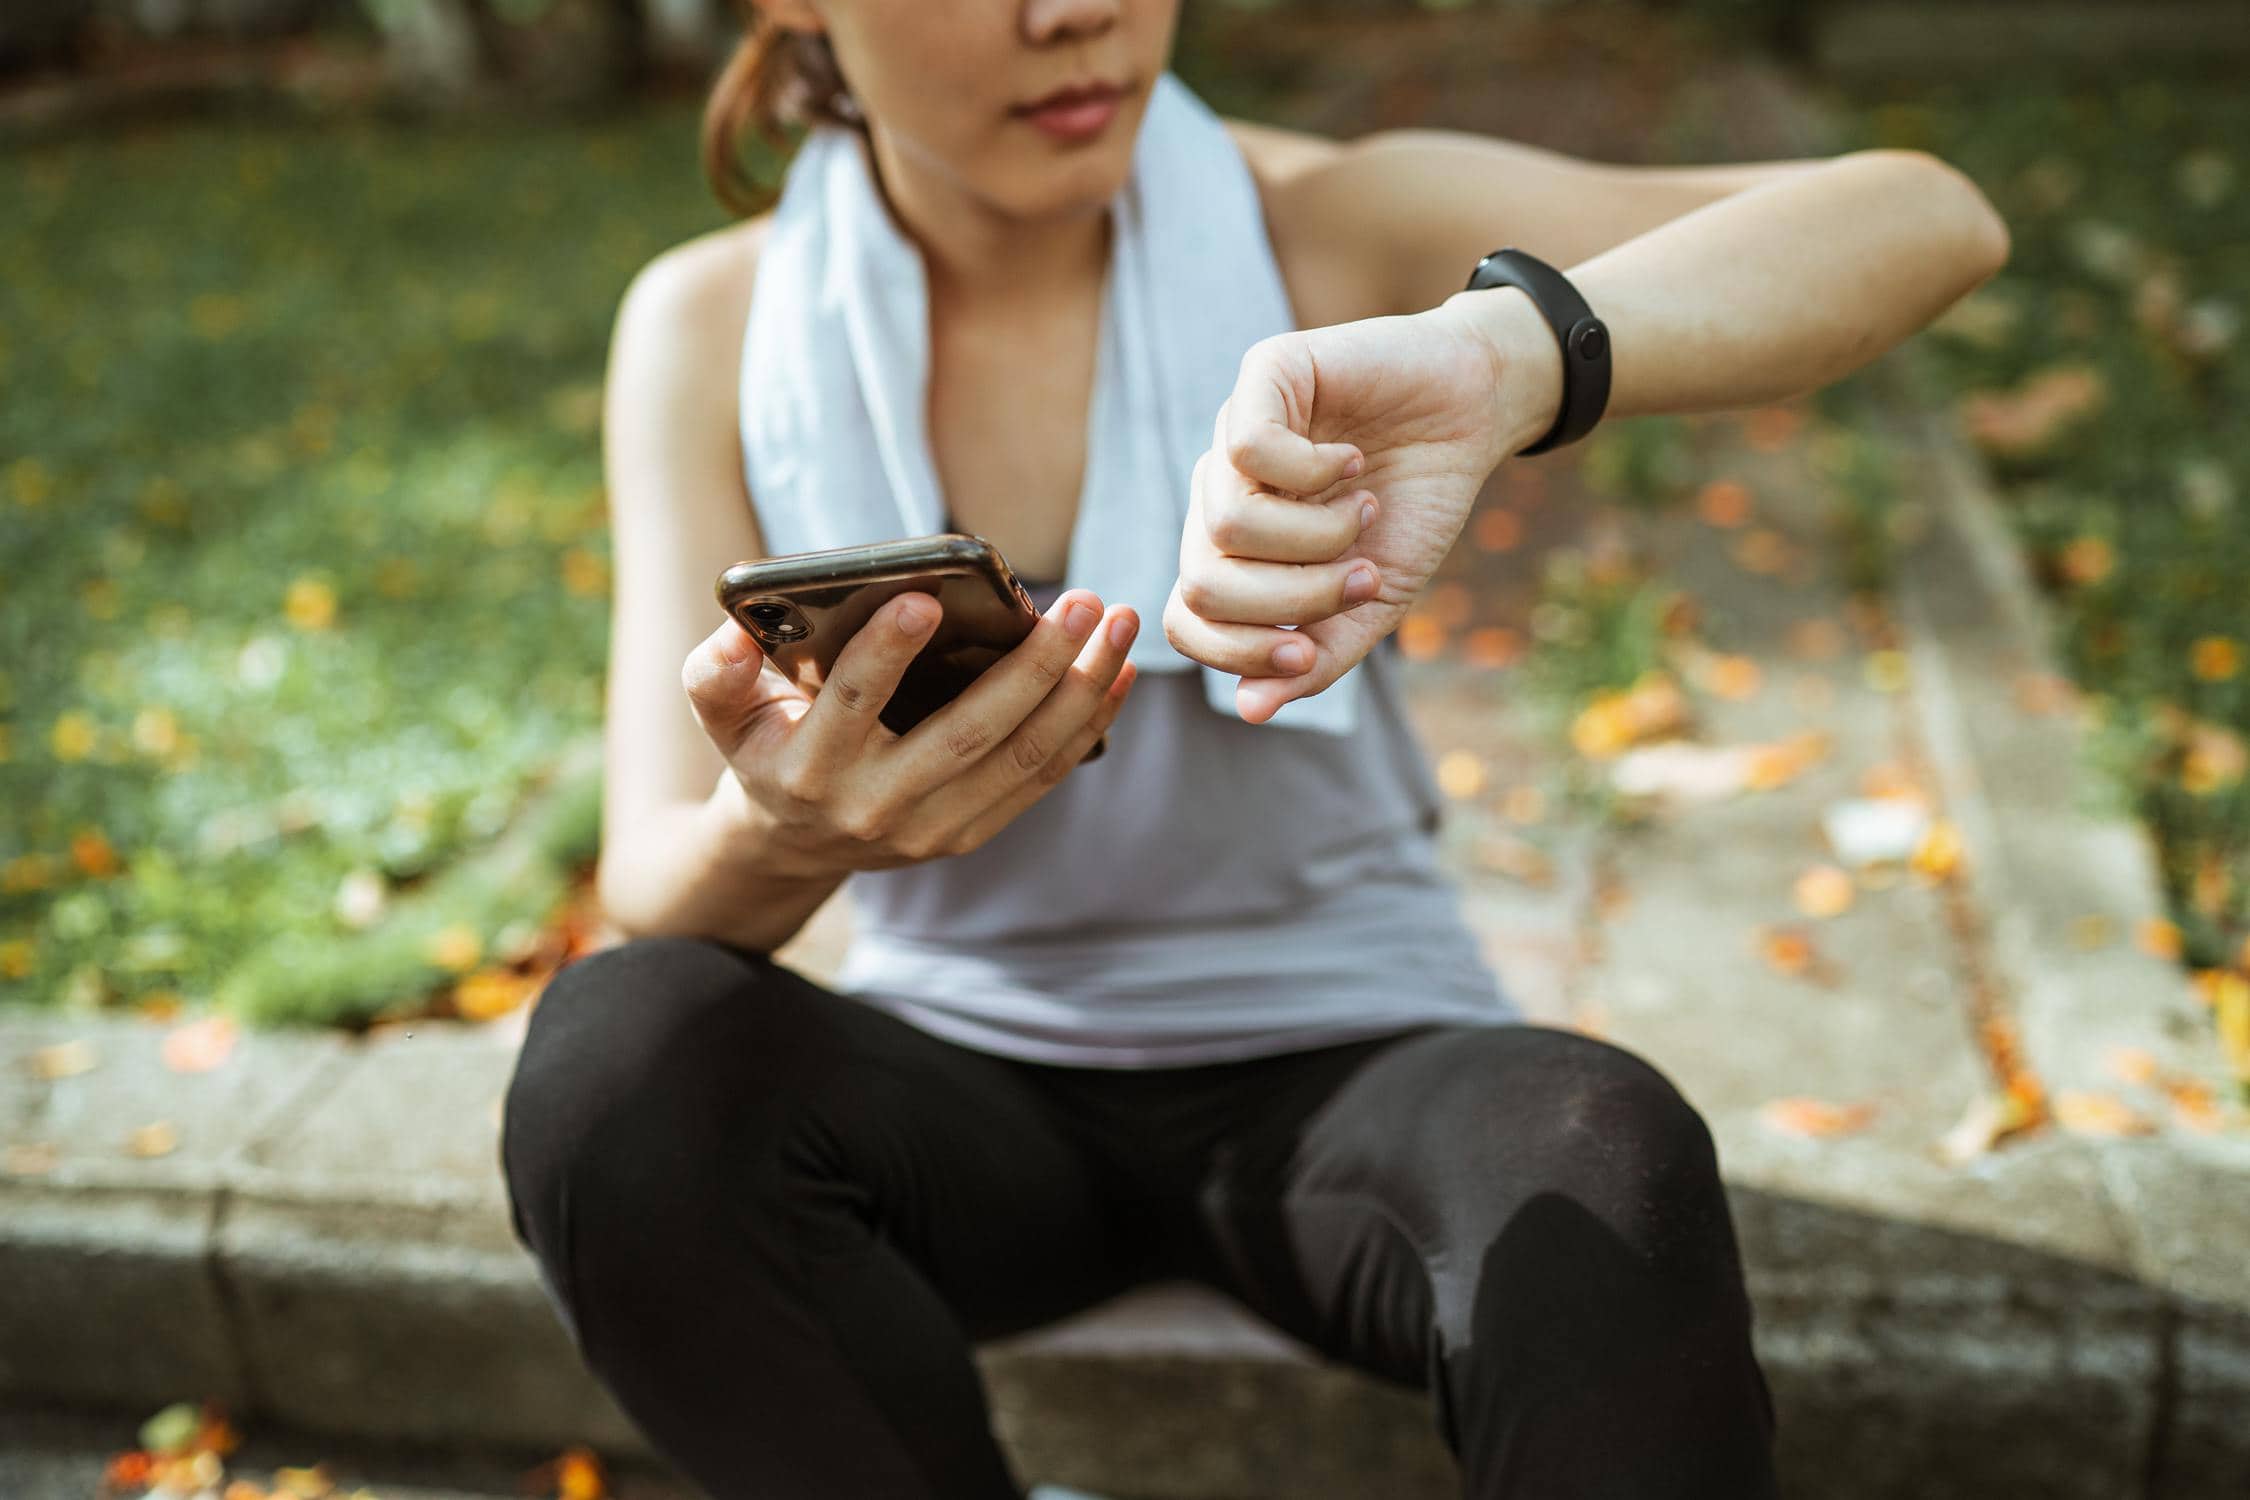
[(1527, 1222)]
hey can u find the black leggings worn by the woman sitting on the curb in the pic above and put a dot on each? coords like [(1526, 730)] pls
[(775, 1220)]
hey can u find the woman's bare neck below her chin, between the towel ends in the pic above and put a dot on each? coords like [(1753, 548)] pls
[(982, 260)]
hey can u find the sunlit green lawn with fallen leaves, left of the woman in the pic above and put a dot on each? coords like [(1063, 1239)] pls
[(305, 541)]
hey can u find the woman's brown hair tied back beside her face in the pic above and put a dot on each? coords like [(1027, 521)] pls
[(777, 78)]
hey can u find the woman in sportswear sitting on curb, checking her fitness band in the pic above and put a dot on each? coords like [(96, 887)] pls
[(1203, 1009)]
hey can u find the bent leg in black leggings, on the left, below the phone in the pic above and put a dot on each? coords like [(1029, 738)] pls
[(777, 1218)]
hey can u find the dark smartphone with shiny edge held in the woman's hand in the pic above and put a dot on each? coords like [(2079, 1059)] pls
[(802, 608)]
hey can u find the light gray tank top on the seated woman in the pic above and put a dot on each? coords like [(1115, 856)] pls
[(1205, 892)]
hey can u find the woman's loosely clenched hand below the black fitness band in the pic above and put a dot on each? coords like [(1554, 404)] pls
[(1275, 518)]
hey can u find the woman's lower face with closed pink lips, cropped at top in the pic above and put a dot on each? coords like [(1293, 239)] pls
[(944, 82)]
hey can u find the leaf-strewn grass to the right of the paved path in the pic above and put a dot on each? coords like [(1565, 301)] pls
[(2105, 379)]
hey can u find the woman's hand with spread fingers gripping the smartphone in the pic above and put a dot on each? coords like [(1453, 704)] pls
[(845, 793)]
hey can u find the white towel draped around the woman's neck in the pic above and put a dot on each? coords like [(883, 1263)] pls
[(836, 365)]
